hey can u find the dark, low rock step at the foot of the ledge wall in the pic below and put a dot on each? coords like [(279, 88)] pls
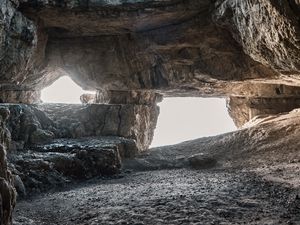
[(44, 167)]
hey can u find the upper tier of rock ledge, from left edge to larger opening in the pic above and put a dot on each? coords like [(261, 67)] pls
[(34, 124)]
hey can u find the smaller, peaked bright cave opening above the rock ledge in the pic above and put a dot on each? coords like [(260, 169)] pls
[(63, 90)]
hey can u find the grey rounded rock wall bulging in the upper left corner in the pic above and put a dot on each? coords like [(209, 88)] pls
[(22, 47)]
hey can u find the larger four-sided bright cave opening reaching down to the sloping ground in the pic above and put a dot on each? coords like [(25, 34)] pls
[(183, 119)]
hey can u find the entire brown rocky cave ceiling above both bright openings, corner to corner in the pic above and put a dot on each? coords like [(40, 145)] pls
[(248, 48)]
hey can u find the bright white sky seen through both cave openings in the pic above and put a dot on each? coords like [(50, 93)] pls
[(180, 119)]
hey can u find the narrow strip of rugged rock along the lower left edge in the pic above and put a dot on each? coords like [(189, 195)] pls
[(7, 191)]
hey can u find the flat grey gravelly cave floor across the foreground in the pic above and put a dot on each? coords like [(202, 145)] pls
[(181, 196)]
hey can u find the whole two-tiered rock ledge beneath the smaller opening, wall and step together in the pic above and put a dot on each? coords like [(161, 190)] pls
[(55, 144)]
